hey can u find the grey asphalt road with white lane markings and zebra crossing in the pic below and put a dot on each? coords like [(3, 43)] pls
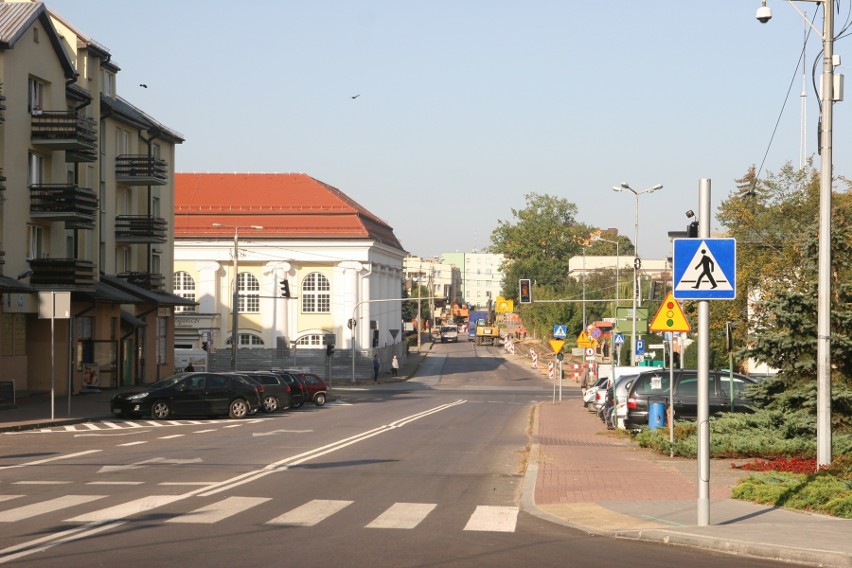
[(423, 473)]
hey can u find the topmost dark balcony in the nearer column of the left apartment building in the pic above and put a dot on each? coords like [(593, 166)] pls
[(58, 130)]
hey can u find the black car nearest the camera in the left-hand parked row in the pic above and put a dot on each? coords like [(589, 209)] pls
[(190, 394)]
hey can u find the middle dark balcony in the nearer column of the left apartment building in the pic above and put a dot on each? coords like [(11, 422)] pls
[(62, 202)]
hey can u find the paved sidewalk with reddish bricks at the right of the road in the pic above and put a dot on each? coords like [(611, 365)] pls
[(600, 482)]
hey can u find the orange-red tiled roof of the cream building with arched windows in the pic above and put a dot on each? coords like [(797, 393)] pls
[(286, 205)]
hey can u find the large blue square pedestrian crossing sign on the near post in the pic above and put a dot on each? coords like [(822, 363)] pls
[(705, 269)]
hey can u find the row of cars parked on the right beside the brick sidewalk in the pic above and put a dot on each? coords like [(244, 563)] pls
[(636, 391)]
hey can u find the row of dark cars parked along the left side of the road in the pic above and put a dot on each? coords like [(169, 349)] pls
[(235, 394)]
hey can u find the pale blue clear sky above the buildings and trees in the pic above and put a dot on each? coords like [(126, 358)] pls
[(439, 116)]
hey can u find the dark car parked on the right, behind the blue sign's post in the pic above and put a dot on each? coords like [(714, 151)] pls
[(653, 386)]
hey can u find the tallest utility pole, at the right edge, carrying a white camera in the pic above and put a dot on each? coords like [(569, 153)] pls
[(824, 271)]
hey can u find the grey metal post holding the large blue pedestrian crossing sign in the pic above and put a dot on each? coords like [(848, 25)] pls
[(703, 339)]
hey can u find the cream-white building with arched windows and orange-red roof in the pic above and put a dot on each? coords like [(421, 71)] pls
[(340, 262)]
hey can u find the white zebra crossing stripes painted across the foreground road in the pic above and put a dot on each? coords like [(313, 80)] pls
[(399, 516)]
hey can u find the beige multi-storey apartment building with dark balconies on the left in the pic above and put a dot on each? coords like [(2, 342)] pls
[(86, 214)]
